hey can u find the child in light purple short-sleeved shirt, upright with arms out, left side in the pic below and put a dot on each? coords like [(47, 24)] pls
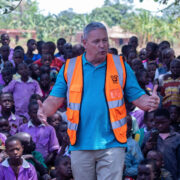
[(22, 89)]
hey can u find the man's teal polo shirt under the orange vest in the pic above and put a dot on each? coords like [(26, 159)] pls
[(94, 130)]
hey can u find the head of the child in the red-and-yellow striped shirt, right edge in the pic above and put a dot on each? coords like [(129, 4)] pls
[(175, 68)]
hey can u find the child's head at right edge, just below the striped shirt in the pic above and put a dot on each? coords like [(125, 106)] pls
[(174, 112)]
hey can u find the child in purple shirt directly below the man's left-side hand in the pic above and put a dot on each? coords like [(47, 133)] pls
[(43, 136)]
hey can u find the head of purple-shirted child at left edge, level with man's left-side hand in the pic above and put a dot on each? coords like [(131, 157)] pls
[(6, 101)]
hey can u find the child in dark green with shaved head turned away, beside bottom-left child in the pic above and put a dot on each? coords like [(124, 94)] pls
[(32, 156)]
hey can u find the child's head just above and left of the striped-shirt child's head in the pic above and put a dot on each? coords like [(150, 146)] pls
[(167, 56)]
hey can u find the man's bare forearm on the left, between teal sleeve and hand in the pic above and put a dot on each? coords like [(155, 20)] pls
[(51, 104)]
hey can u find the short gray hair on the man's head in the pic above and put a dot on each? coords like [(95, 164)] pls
[(92, 26)]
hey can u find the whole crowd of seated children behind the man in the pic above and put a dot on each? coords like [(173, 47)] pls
[(31, 150)]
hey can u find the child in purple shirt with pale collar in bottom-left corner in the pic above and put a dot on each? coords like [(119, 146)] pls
[(15, 167)]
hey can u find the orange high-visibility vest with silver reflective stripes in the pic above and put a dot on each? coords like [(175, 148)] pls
[(114, 84)]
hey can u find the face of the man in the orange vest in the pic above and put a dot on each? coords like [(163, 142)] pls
[(96, 45)]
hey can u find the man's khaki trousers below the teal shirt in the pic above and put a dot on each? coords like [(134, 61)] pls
[(105, 164)]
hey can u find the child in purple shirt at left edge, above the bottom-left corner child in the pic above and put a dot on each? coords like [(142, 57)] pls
[(7, 103)]
